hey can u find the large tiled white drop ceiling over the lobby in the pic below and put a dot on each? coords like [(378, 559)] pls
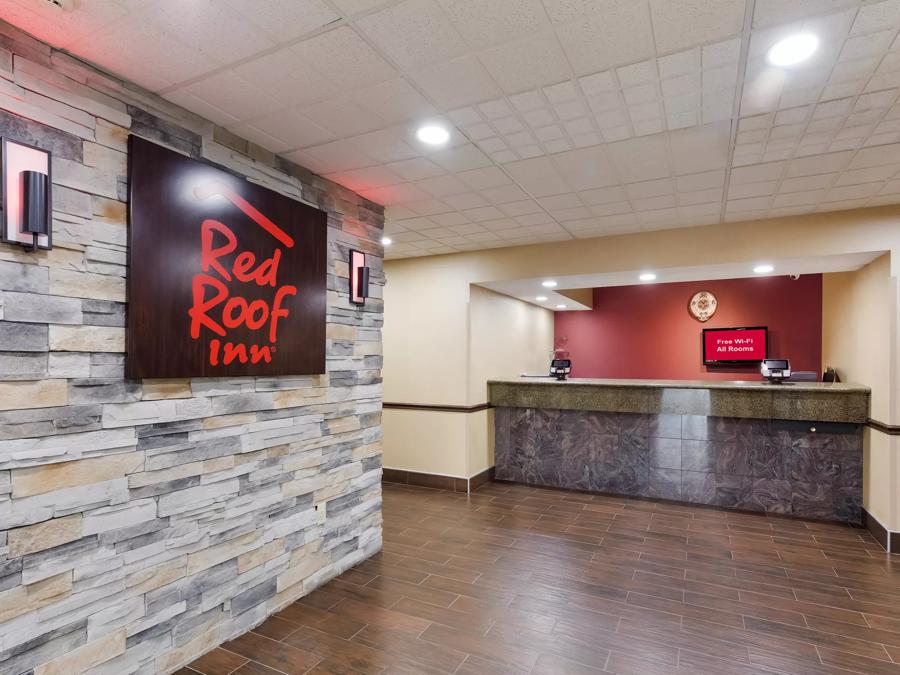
[(571, 118)]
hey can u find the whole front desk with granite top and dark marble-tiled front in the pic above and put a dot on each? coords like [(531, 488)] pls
[(794, 448)]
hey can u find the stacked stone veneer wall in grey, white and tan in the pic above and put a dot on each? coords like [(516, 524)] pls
[(144, 522)]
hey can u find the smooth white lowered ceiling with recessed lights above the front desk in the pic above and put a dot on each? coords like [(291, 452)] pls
[(528, 290)]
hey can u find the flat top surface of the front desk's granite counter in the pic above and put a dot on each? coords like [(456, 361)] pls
[(689, 384)]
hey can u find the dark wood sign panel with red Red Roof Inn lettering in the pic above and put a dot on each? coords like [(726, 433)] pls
[(225, 277)]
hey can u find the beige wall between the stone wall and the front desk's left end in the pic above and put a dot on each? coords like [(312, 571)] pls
[(443, 354)]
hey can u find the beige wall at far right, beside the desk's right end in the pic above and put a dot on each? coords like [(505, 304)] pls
[(859, 339)]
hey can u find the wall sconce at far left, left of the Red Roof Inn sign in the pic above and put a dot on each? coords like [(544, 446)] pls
[(26, 196)]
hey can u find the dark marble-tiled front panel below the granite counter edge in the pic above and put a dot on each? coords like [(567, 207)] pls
[(805, 469)]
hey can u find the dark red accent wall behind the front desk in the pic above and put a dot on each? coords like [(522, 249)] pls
[(646, 331)]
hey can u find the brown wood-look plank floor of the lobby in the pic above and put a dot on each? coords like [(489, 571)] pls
[(515, 579)]
